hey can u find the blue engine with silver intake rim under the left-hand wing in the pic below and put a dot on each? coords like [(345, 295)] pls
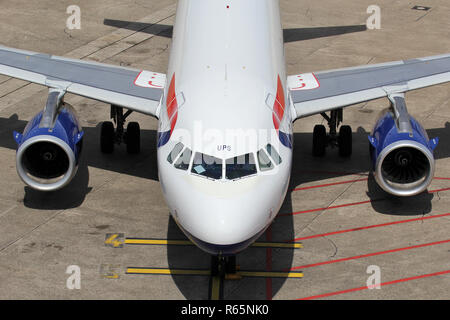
[(50, 146)]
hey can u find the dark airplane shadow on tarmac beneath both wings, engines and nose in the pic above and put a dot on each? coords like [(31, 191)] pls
[(305, 169)]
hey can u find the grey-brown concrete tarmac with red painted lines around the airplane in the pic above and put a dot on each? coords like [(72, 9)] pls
[(350, 229)]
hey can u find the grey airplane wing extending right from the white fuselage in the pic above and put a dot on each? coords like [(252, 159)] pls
[(313, 93)]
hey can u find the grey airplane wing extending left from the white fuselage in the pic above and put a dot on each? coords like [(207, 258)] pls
[(136, 90)]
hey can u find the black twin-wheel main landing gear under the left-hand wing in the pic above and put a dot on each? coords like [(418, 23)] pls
[(109, 136)]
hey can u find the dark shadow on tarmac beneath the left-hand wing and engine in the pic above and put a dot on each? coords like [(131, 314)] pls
[(142, 165)]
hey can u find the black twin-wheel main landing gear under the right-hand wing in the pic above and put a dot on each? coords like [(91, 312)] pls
[(321, 139)]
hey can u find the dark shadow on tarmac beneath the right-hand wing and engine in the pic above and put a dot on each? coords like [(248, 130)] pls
[(307, 168)]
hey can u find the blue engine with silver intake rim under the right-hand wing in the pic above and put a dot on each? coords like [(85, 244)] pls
[(401, 152)]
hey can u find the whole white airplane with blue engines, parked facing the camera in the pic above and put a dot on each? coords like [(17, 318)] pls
[(225, 110)]
